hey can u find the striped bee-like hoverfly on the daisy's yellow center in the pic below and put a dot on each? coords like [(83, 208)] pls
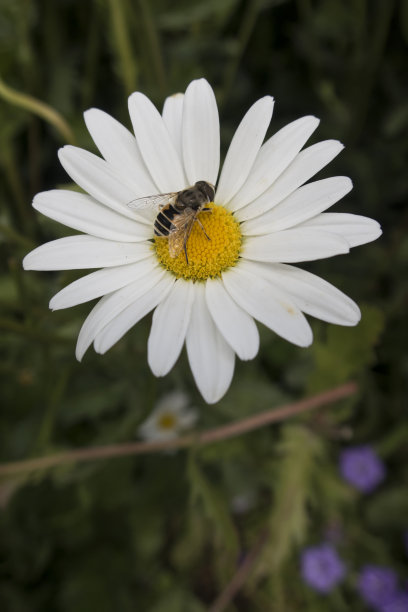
[(177, 213)]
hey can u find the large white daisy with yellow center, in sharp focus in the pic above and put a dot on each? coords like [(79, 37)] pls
[(264, 218)]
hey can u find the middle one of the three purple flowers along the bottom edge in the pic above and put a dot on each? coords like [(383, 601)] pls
[(377, 585)]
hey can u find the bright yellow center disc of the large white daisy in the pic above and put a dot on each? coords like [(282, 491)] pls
[(207, 258)]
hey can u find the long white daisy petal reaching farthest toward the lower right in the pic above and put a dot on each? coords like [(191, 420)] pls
[(311, 294)]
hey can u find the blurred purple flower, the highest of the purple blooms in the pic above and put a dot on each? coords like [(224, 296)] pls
[(362, 468)]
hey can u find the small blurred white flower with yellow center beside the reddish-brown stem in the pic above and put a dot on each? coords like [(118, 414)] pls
[(169, 418)]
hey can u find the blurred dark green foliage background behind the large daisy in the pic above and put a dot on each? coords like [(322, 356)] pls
[(164, 532)]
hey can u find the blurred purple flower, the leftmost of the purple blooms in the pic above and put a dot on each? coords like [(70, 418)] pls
[(322, 568)]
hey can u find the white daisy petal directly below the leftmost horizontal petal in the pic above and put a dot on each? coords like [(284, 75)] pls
[(100, 283)]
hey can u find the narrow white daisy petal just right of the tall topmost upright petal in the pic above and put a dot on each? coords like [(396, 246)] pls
[(243, 149)]
